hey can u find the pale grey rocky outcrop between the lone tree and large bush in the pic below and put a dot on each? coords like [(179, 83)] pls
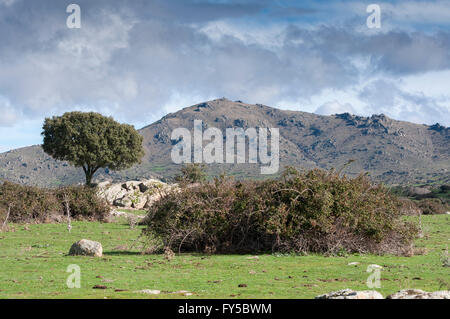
[(133, 194)]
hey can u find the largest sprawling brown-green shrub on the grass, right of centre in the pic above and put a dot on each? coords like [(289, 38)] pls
[(315, 211)]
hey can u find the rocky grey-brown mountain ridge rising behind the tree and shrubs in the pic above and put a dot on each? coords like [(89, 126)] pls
[(391, 151)]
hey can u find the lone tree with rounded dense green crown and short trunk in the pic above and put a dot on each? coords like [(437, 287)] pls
[(92, 141)]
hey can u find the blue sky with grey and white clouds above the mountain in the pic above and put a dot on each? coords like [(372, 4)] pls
[(139, 60)]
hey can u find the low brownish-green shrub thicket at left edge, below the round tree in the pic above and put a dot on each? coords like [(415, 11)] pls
[(39, 205)]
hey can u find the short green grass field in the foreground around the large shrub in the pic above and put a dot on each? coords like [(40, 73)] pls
[(33, 263)]
